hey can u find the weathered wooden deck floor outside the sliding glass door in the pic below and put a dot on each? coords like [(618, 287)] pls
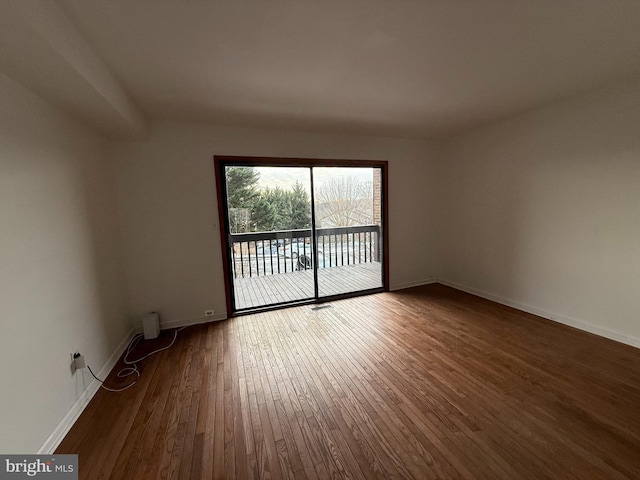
[(293, 286)]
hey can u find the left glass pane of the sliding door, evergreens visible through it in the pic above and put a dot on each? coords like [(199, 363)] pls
[(270, 241)]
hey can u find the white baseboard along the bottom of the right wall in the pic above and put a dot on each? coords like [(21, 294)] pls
[(555, 317)]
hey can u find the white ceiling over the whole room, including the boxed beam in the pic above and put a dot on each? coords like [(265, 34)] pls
[(382, 67)]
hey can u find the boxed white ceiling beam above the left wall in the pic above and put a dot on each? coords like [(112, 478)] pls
[(41, 49)]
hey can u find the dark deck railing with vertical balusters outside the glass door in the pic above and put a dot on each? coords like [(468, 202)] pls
[(270, 253)]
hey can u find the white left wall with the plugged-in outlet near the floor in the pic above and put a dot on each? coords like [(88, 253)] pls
[(60, 282)]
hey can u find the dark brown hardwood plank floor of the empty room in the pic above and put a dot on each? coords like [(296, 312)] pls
[(424, 383)]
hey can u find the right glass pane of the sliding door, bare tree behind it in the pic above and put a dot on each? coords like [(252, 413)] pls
[(348, 221)]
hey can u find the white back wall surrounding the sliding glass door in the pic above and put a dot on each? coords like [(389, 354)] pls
[(171, 235)]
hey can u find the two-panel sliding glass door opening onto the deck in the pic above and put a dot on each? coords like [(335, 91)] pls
[(300, 230)]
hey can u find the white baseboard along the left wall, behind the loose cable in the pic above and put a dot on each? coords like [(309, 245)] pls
[(61, 430)]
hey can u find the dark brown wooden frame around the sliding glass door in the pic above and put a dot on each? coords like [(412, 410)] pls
[(221, 161)]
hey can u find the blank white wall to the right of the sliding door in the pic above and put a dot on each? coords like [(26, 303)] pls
[(543, 212)]
